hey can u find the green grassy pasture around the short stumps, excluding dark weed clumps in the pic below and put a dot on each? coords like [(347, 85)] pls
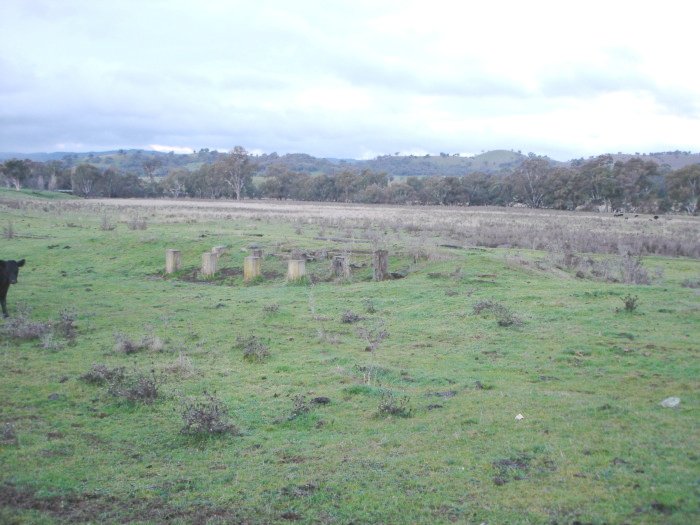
[(593, 446)]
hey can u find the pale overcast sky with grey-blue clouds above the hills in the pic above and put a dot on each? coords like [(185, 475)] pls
[(351, 79)]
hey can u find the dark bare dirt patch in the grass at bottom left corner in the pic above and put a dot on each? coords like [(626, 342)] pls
[(83, 508)]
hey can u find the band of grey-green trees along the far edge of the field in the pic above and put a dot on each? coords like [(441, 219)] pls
[(599, 183)]
